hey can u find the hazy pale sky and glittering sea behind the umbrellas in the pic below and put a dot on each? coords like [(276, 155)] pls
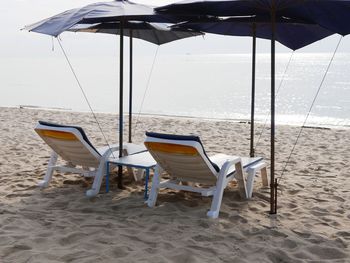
[(33, 70)]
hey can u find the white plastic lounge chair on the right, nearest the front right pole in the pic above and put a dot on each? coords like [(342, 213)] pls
[(184, 159)]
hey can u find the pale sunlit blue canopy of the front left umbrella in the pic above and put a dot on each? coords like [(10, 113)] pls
[(98, 13)]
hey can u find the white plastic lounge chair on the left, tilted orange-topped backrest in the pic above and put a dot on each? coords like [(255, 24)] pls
[(73, 146)]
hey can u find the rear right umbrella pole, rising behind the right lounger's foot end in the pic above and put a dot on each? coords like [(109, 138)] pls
[(253, 94)]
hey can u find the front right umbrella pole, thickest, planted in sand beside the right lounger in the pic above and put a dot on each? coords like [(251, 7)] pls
[(273, 190)]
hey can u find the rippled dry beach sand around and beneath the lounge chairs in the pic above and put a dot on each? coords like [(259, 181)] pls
[(59, 224)]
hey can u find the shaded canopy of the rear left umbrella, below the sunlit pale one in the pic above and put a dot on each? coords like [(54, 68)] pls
[(156, 33)]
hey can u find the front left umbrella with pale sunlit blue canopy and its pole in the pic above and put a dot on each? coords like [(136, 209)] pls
[(121, 11)]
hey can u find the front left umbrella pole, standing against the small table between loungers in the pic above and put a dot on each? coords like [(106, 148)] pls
[(121, 73)]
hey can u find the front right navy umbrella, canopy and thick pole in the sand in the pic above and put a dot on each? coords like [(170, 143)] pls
[(332, 15)]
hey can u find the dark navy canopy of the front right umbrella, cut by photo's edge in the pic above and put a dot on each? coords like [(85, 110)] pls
[(330, 14)]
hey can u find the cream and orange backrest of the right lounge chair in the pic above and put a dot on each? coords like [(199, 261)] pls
[(182, 157)]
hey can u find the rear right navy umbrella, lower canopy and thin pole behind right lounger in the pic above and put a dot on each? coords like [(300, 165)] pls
[(257, 26)]
